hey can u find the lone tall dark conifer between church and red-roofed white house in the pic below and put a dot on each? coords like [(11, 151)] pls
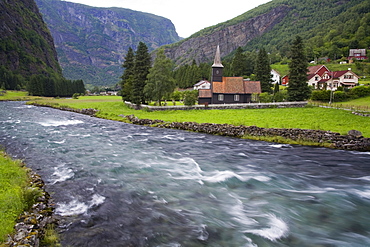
[(298, 89)]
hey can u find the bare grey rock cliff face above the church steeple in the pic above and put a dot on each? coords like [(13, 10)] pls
[(202, 47)]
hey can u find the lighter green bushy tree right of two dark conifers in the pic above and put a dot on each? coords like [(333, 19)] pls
[(160, 82)]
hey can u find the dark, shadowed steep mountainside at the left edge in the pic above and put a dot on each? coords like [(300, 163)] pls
[(26, 46)]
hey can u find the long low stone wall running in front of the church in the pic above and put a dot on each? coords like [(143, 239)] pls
[(221, 106)]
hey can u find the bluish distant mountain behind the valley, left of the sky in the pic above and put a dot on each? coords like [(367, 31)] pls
[(91, 42)]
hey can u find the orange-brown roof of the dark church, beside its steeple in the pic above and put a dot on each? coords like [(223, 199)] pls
[(236, 85)]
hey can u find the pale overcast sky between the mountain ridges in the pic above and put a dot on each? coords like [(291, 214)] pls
[(188, 16)]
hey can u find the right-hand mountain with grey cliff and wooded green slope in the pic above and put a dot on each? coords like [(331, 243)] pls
[(325, 25)]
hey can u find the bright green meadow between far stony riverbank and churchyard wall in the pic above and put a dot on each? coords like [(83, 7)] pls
[(111, 107)]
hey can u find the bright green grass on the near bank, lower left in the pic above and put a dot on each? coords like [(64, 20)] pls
[(13, 181)]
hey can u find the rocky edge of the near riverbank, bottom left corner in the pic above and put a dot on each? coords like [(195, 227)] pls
[(31, 226)]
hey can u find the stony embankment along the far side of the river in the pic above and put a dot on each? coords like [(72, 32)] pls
[(352, 141)]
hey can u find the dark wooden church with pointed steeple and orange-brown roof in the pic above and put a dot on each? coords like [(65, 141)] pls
[(227, 90)]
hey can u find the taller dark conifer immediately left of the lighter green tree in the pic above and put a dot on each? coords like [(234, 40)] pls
[(141, 70)]
